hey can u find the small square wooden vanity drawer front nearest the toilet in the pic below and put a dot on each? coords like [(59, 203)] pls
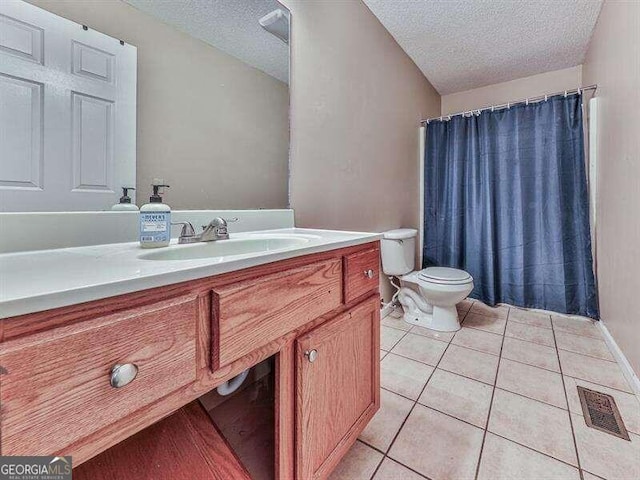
[(361, 271)]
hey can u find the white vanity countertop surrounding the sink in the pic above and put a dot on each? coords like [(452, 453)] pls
[(41, 280)]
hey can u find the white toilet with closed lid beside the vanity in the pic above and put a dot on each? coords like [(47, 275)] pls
[(429, 296)]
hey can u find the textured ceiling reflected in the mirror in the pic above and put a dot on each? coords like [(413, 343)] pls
[(229, 25)]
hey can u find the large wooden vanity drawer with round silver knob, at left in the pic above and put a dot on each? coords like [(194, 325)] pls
[(57, 388)]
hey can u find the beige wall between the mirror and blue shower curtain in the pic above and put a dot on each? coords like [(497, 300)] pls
[(356, 103)]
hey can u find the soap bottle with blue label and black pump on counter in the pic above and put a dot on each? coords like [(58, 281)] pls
[(155, 221)]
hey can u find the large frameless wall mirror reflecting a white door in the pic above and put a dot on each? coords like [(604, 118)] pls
[(95, 96)]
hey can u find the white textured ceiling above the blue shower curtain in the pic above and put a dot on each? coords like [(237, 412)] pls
[(464, 44)]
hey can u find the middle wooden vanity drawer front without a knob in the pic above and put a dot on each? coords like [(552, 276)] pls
[(251, 313)]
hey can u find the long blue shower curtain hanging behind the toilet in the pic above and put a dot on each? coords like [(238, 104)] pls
[(506, 200)]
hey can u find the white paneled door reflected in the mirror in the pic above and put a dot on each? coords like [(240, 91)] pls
[(67, 113)]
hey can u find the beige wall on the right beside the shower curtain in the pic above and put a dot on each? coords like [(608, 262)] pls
[(613, 62)]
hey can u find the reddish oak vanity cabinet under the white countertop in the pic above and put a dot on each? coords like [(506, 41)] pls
[(318, 315)]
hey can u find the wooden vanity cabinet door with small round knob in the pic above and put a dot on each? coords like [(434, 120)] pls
[(338, 388)]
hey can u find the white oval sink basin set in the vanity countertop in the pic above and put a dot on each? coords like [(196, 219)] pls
[(225, 248)]
